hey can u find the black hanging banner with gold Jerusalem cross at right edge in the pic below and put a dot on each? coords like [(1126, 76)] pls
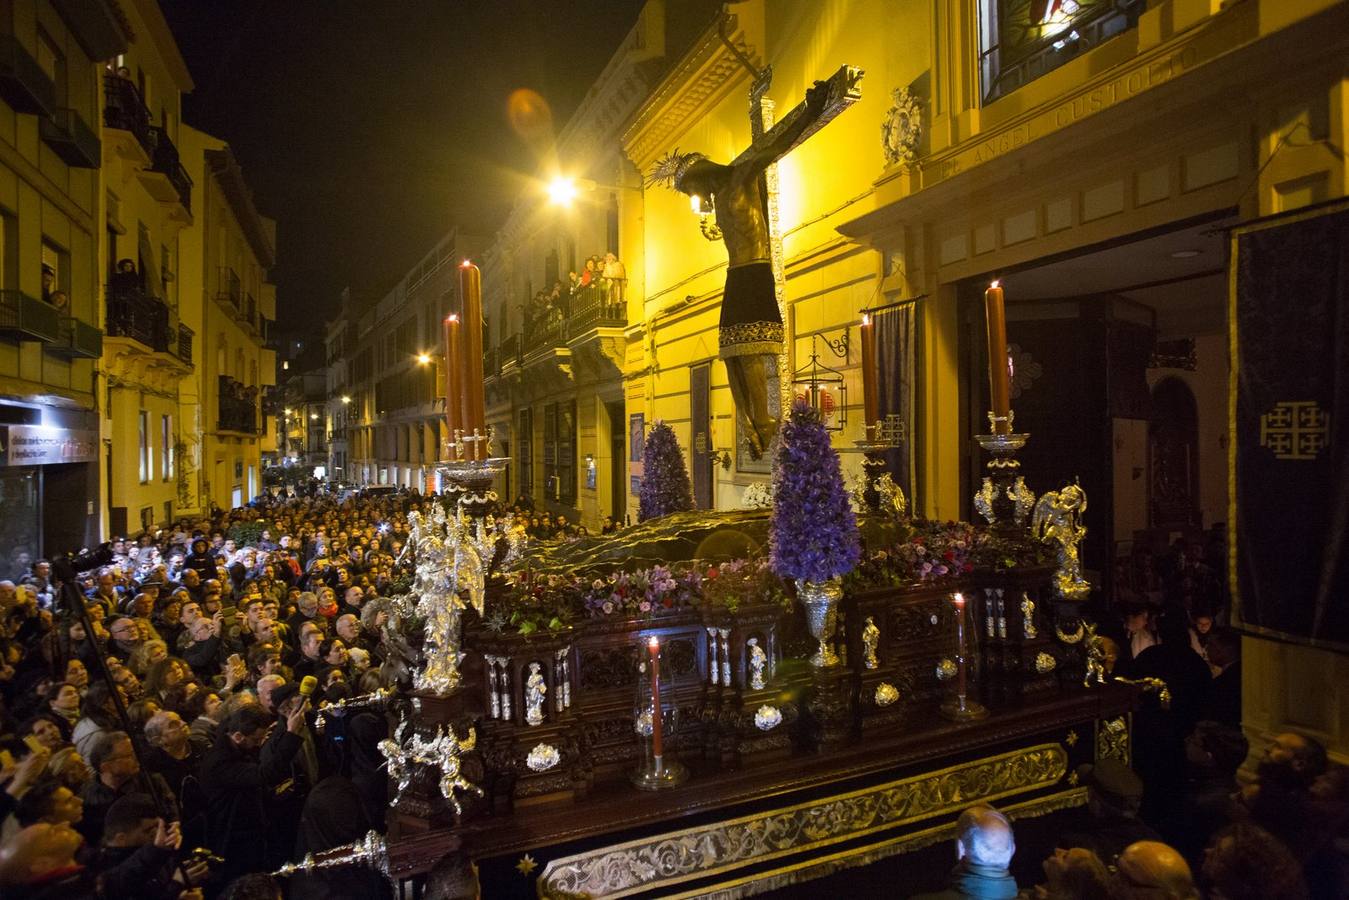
[(1290, 449)]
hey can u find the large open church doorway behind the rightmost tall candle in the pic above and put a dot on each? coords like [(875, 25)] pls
[(1119, 366)]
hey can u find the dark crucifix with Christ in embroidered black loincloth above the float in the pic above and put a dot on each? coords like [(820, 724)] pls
[(743, 195)]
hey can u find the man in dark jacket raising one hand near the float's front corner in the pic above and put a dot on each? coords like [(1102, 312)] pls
[(239, 777)]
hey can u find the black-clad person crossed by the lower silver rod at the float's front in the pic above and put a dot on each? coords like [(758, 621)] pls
[(334, 817)]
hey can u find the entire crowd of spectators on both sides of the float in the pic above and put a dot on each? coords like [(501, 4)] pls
[(198, 766)]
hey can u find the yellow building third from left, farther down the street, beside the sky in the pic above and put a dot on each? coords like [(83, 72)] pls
[(226, 261)]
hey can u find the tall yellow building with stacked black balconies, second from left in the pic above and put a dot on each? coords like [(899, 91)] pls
[(149, 351)]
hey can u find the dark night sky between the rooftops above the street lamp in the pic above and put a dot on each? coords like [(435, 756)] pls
[(370, 128)]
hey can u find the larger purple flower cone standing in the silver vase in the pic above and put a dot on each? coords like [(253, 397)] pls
[(814, 535)]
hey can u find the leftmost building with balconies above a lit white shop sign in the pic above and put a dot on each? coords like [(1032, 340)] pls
[(51, 275)]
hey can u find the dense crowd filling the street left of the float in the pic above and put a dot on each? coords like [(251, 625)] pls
[(202, 766)]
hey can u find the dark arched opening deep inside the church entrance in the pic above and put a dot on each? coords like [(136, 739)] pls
[(1174, 457)]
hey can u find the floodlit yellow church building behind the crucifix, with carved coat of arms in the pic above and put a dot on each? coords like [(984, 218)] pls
[(1093, 163)]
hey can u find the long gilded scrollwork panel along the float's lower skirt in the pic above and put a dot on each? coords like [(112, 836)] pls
[(662, 862)]
